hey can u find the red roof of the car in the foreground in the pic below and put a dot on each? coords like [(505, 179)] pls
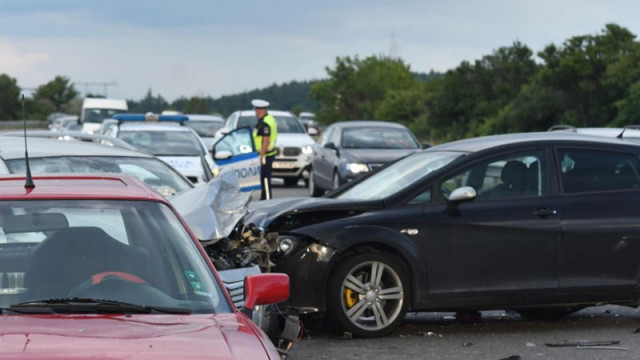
[(75, 186)]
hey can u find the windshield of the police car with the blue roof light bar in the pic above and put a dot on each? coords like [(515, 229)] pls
[(164, 143)]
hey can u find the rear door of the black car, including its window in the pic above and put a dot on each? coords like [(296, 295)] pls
[(600, 246)]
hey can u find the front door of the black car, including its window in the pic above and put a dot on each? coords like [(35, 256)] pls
[(503, 241)]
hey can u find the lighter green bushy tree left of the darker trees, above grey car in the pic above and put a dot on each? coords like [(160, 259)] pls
[(356, 87)]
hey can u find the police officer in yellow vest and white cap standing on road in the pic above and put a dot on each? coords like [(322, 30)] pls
[(264, 136)]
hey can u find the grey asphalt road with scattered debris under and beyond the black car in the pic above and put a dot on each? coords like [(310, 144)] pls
[(497, 335)]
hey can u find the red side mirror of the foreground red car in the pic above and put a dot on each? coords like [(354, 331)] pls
[(262, 289)]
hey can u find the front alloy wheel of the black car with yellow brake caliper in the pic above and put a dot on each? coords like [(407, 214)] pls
[(367, 295)]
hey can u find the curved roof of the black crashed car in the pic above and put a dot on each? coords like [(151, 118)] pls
[(485, 142)]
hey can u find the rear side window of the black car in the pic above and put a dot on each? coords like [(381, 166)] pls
[(593, 170)]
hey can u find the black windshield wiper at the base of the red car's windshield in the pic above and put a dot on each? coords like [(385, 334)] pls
[(84, 304)]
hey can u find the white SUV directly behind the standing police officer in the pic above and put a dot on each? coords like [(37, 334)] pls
[(294, 144)]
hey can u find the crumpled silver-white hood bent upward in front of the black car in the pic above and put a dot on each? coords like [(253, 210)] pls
[(212, 211)]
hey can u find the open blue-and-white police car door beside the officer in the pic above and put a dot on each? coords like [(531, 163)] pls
[(237, 151)]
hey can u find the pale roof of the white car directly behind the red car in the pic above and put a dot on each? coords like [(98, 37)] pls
[(13, 148)]
